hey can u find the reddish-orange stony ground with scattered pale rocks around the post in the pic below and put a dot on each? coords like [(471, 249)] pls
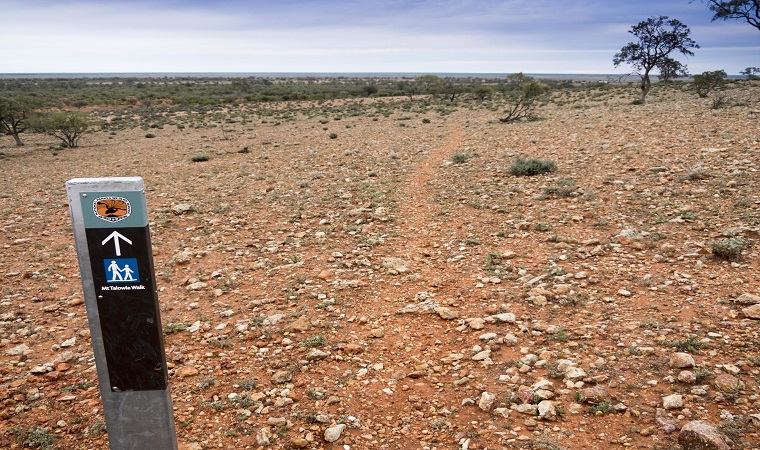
[(395, 287)]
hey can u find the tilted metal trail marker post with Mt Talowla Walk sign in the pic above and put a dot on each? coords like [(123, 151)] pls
[(110, 220)]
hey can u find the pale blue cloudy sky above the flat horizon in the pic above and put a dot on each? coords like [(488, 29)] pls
[(428, 36)]
